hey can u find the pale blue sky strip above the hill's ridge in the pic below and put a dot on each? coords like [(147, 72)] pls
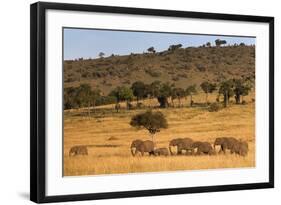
[(88, 43)]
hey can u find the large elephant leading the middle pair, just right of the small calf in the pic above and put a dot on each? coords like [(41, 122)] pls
[(181, 144)]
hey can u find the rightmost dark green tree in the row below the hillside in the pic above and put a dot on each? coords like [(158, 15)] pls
[(240, 89)]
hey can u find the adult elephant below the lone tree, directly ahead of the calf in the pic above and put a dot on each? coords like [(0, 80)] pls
[(142, 147)]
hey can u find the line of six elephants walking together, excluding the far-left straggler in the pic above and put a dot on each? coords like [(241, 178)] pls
[(188, 146)]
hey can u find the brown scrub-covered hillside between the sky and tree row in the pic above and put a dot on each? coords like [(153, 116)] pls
[(183, 66)]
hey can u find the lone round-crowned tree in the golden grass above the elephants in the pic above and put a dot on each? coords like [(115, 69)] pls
[(152, 121)]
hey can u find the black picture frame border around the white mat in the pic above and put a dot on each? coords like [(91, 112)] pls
[(38, 101)]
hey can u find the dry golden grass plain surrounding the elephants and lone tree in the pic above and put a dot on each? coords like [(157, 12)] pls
[(108, 136)]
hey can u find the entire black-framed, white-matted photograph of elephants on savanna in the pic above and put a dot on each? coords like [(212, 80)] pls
[(129, 102)]
